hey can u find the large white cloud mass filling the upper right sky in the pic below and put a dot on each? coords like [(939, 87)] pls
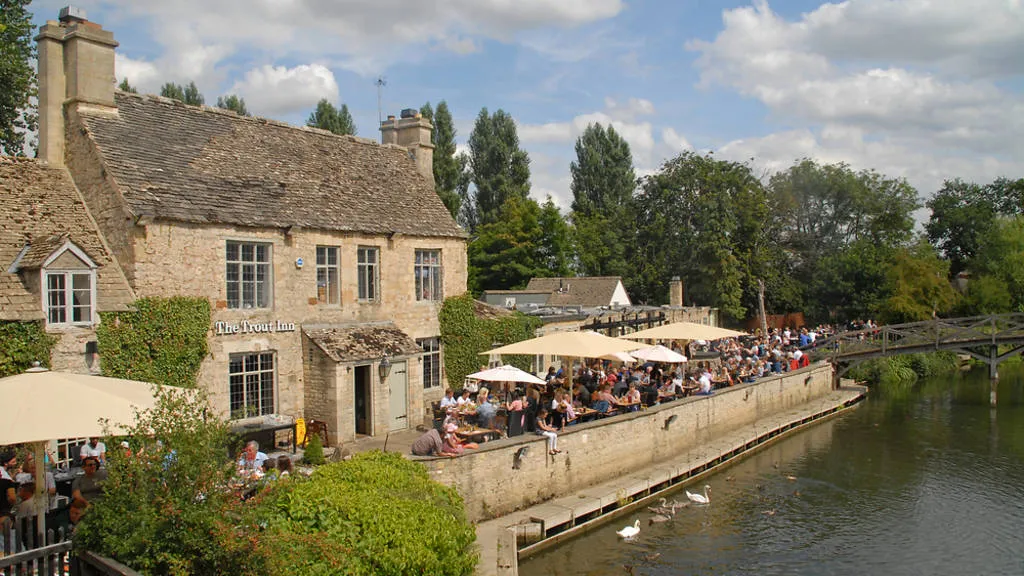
[(909, 89)]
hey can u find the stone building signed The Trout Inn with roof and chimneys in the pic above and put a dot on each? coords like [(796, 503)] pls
[(324, 258)]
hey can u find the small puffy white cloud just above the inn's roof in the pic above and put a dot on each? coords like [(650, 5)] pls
[(277, 91)]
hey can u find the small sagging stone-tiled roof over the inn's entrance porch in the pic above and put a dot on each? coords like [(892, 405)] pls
[(355, 343)]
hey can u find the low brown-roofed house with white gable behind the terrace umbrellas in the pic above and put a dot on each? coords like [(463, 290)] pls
[(564, 293)]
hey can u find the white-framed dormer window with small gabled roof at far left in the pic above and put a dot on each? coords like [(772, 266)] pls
[(67, 281)]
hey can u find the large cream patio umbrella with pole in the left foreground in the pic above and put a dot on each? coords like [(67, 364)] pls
[(41, 405)]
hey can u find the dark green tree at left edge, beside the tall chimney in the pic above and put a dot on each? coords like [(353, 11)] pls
[(18, 76)]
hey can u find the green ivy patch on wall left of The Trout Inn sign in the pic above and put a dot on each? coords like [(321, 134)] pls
[(163, 341)]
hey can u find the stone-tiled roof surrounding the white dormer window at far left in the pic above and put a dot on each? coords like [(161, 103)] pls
[(41, 210)]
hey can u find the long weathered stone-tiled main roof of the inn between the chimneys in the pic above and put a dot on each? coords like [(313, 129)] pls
[(205, 166)]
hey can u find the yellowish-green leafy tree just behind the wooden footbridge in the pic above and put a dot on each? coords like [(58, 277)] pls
[(918, 285)]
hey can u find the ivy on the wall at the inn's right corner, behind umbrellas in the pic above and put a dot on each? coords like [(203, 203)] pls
[(465, 336)]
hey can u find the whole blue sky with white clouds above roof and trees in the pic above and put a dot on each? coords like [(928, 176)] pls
[(922, 90)]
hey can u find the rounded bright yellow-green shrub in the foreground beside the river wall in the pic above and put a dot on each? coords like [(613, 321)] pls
[(376, 514)]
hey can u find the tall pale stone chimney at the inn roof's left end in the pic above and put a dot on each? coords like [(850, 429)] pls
[(76, 67)]
